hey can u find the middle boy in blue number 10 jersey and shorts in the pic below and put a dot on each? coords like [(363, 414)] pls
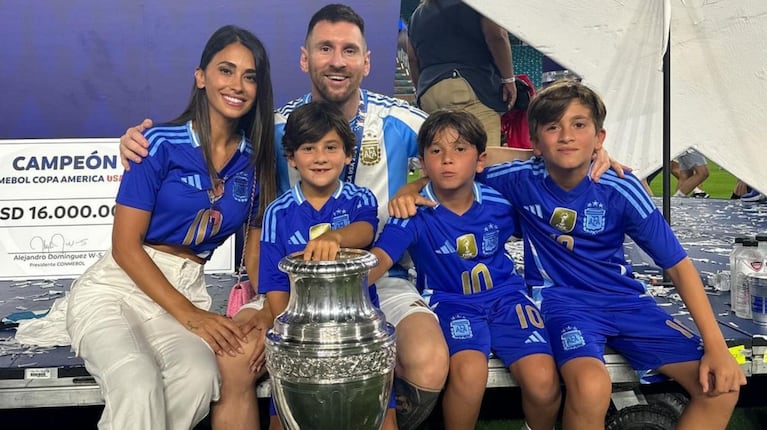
[(481, 302)]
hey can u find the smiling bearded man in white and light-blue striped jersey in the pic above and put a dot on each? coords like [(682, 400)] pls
[(336, 58)]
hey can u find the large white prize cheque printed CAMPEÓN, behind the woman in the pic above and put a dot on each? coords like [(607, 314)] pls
[(57, 203)]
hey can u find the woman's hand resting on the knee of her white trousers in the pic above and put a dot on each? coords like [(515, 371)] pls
[(221, 333)]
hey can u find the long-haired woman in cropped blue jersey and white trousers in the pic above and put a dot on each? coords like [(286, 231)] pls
[(139, 316)]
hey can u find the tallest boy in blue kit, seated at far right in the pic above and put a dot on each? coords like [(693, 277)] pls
[(574, 232)]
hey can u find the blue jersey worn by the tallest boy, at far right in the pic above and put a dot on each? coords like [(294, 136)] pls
[(574, 239)]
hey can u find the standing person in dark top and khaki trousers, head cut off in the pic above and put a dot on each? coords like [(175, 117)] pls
[(460, 59)]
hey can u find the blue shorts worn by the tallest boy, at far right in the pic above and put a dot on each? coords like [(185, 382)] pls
[(647, 337)]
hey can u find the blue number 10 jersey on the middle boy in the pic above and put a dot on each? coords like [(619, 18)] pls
[(457, 254)]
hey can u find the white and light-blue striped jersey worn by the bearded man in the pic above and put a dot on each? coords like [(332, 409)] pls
[(386, 130)]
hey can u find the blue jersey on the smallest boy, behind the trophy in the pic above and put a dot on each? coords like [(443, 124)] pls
[(290, 222)]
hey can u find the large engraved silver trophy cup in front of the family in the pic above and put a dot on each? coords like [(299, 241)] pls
[(331, 354)]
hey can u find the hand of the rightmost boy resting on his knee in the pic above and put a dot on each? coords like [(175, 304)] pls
[(719, 373)]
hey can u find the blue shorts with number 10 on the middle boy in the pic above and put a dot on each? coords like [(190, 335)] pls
[(506, 323)]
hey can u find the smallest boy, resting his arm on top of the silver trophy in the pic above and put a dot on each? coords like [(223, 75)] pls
[(318, 215)]
